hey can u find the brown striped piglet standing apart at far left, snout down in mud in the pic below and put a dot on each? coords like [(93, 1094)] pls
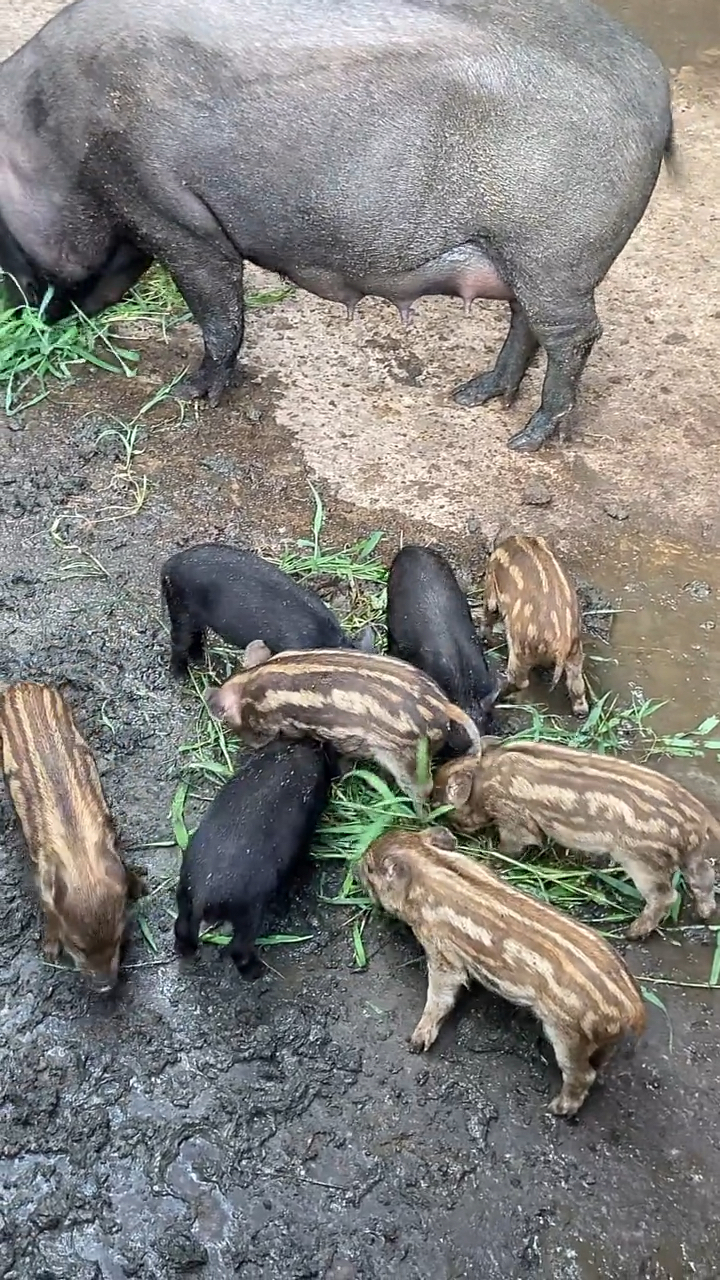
[(53, 783)]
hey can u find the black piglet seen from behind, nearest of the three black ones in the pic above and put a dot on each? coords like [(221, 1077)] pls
[(253, 836)]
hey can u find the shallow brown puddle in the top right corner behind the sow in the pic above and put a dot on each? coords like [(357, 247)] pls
[(682, 33)]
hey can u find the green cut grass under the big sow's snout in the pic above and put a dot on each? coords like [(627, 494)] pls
[(34, 355)]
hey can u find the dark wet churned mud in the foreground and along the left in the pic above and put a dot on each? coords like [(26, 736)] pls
[(198, 1126)]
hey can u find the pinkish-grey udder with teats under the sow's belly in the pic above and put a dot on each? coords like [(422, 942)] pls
[(464, 272)]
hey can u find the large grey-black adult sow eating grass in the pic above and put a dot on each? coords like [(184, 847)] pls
[(494, 149)]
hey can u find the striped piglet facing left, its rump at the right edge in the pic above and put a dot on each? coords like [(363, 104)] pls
[(595, 804)]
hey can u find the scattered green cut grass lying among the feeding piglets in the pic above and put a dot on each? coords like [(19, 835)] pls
[(364, 804)]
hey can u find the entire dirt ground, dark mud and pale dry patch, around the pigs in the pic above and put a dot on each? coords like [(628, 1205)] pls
[(197, 1126)]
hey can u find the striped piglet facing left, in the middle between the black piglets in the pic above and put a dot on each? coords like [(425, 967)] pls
[(367, 706)]
